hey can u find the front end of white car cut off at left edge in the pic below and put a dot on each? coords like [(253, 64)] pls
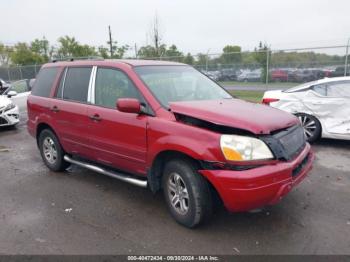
[(9, 113)]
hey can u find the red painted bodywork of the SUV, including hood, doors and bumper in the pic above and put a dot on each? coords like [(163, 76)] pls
[(131, 142)]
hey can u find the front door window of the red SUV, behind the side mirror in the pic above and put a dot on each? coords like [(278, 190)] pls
[(112, 84)]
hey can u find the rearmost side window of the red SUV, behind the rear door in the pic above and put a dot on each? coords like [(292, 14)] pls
[(44, 81)]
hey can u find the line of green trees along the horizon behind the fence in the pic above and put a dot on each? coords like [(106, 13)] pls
[(40, 51)]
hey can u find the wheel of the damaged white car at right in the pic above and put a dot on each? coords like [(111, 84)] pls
[(312, 127)]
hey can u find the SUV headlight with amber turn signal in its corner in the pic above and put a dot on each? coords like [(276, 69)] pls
[(244, 148)]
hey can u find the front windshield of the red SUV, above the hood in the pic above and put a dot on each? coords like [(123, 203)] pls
[(179, 83)]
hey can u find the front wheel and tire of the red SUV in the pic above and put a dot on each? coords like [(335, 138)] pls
[(195, 203)]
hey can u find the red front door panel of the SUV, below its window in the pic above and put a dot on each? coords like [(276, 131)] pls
[(119, 139)]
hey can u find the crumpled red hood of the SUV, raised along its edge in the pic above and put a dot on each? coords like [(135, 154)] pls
[(236, 113)]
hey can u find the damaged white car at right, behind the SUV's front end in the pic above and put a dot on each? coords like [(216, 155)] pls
[(323, 106)]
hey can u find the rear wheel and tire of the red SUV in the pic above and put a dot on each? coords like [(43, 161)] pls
[(51, 151)]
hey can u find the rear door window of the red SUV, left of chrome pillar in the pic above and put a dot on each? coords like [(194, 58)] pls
[(76, 84)]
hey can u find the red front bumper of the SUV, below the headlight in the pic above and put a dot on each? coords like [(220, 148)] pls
[(265, 185)]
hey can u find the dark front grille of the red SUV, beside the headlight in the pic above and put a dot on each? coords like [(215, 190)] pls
[(292, 140)]
